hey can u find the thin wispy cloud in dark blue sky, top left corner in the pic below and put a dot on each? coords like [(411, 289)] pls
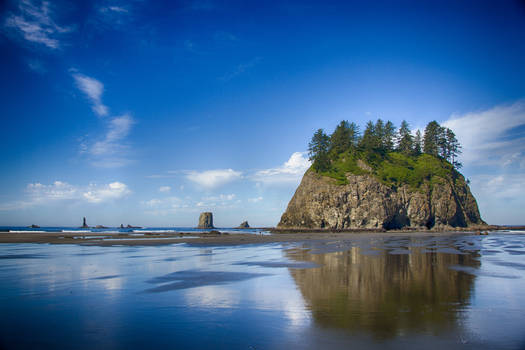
[(35, 23)]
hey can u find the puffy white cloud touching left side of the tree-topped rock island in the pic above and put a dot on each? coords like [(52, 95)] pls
[(290, 172)]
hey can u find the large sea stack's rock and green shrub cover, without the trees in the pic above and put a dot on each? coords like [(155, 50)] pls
[(369, 190)]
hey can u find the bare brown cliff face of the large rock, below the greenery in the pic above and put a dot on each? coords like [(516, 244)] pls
[(366, 203)]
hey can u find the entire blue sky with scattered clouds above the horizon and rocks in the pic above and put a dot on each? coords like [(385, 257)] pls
[(151, 112)]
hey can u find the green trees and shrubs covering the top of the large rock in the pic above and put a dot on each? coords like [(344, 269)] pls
[(342, 152)]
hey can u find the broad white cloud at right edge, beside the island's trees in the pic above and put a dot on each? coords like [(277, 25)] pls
[(489, 137)]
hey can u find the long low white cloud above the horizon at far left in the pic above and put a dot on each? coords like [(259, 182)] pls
[(41, 194)]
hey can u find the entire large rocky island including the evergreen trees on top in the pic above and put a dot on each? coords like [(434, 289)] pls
[(369, 182)]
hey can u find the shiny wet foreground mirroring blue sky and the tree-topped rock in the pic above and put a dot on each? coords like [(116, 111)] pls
[(432, 292)]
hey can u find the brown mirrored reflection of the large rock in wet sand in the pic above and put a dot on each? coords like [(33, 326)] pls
[(386, 294)]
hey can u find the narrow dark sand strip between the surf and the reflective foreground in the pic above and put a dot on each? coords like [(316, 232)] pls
[(114, 239)]
